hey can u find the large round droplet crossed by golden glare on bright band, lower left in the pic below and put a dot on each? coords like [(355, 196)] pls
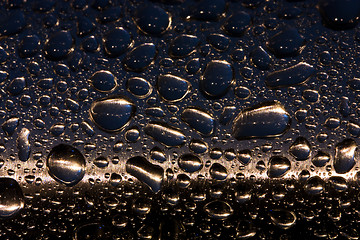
[(66, 164)]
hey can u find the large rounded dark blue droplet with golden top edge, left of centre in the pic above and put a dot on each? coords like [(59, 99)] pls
[(112, 114)]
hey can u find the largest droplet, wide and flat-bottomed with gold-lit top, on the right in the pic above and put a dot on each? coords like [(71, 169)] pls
[(268, 119)]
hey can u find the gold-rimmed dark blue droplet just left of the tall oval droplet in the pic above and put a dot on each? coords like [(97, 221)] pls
[(172, 88)]
